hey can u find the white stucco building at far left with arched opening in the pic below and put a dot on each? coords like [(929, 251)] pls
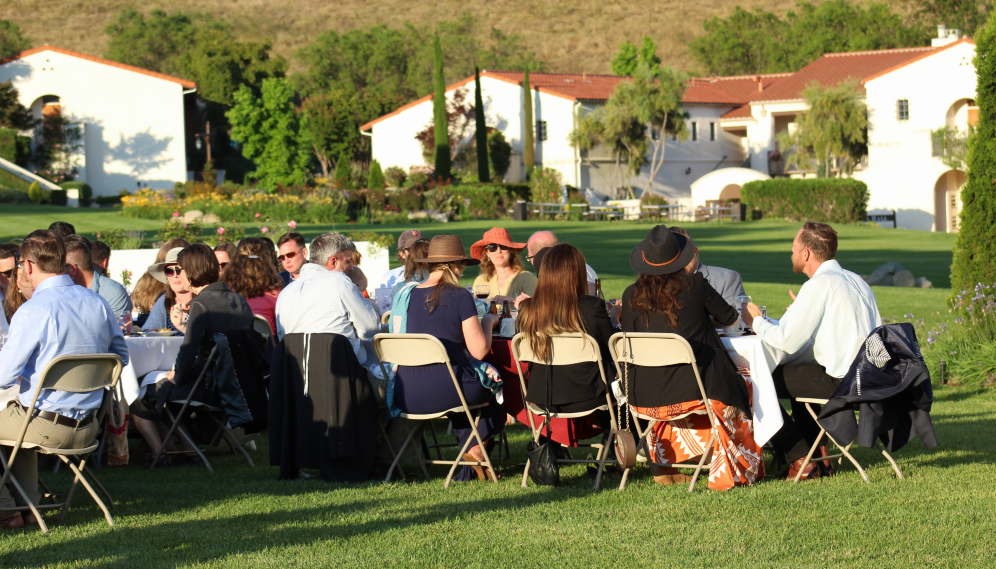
[(132, 119)]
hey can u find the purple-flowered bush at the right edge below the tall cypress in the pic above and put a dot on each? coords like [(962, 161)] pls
[(969, 344)]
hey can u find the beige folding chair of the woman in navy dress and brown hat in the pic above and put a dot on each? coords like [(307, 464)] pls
[(415, 350)]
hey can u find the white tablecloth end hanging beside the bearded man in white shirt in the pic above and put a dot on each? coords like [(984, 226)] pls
[(756, 364)]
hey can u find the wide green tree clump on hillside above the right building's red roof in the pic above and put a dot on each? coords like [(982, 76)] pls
[(760, 42)]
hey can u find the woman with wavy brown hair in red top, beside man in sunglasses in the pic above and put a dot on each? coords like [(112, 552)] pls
[(253, 277)]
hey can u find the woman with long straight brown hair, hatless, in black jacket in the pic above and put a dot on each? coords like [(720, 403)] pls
[(561, 304)]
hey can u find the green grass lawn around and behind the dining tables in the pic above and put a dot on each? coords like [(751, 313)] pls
[(941, 515)]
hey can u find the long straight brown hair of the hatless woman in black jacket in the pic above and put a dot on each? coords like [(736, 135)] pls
[(553, 309)]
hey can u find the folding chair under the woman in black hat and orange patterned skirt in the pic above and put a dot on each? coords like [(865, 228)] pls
[(646, 349)]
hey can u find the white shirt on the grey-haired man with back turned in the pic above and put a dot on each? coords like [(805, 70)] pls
[(323, 301)]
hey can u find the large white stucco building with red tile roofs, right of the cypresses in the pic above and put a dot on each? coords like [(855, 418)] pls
[(734, 122)]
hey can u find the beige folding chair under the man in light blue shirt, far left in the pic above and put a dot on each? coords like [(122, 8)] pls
[(74, 374)]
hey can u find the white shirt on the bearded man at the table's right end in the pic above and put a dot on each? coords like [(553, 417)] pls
[(836, 309)]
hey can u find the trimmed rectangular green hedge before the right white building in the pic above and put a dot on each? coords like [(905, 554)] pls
[(830, 200)]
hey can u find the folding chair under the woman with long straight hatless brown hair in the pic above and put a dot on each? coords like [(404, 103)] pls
[(566, 349)]
